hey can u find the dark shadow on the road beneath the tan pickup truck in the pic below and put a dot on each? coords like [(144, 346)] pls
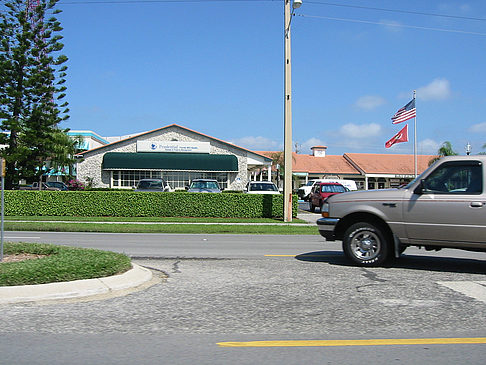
[(408, 262)]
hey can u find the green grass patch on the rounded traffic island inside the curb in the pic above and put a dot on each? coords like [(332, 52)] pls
[(61, 263)]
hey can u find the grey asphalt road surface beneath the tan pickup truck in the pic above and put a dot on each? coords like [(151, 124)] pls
[(232, 288)]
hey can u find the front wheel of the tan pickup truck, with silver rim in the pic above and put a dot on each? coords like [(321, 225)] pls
[(366, 245)]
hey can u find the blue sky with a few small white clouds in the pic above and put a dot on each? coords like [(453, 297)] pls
[(217, 67)]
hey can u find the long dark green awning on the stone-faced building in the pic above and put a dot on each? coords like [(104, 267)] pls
[(169, 161)]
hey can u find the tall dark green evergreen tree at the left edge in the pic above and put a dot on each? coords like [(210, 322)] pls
[(31, 88)]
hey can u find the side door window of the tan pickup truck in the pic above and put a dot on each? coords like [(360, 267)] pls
[(456, 178)]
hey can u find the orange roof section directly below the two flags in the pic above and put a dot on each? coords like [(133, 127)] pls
[(388, 163)]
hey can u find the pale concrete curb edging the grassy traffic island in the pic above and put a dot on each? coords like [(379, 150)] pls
[(76, 289)]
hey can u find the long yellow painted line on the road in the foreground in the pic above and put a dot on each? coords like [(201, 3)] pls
[(376, 342)]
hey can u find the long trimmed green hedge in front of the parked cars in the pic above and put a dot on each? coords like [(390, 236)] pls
[(143, 204)]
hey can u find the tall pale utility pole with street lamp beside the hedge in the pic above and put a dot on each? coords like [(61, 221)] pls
[(287, 193)]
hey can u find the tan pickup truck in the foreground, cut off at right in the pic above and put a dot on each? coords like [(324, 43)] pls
[(444, 207)]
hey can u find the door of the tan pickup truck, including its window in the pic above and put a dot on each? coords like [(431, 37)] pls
[(450, 206)]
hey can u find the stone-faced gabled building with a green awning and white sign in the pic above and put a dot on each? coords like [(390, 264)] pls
[(174, 153)]
